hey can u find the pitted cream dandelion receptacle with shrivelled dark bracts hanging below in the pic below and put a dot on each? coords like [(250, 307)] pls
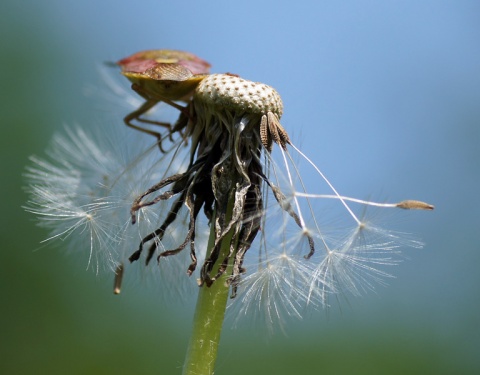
[(231, 121)]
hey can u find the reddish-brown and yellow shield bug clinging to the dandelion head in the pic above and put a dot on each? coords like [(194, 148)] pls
[(162, 76)]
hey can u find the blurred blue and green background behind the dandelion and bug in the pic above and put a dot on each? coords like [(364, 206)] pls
[(384, 96)]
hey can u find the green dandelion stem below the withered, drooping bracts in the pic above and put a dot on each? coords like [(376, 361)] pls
[(209, 314)]
